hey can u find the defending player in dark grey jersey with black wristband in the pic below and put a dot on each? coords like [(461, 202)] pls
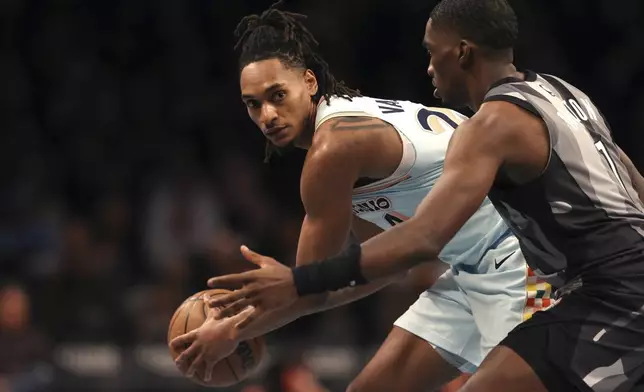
[(544, 154)]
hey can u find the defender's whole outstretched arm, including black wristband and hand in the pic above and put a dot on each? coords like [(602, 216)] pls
[(499, 133)]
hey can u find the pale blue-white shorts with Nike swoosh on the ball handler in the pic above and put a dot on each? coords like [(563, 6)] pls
[(470, 309)]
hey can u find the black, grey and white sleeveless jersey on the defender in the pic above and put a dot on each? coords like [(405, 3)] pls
[(582, 213)]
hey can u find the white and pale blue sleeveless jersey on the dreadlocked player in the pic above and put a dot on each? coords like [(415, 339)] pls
[(425, 133)]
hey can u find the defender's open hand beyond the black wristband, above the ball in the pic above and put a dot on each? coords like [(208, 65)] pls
[(266, 289)]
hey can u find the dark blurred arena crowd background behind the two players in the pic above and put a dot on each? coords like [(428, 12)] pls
[(131, 172)]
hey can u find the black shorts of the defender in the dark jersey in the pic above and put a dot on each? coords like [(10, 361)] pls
[(592, 340)]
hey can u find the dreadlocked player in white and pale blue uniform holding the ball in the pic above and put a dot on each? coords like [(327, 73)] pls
[(293, 98)]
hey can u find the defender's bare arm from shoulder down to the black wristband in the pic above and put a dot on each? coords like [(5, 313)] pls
[(477, 150)]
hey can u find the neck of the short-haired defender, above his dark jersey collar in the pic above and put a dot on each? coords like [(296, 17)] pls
[(484, 76)]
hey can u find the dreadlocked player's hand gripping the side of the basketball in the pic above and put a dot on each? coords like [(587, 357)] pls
[(213, 341)]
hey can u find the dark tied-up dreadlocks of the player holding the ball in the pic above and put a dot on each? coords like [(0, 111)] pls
[(281, 34)]
